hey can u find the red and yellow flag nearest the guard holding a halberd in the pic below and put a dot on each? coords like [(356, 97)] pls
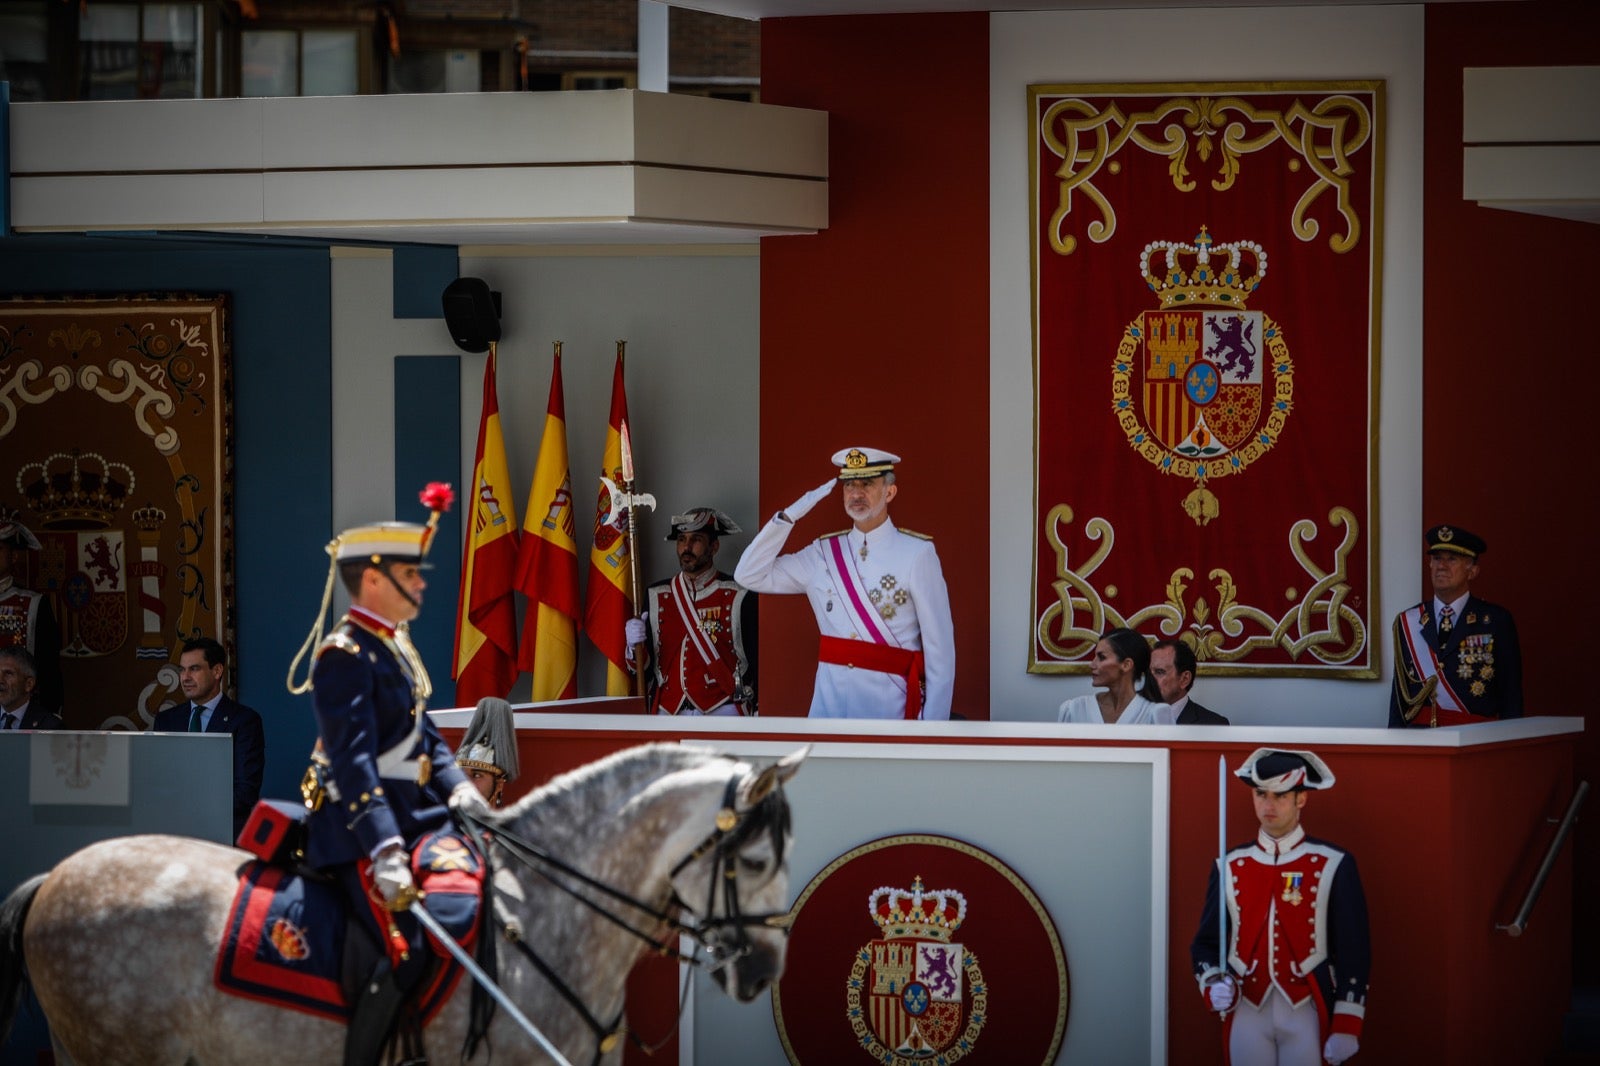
[(610, 603)]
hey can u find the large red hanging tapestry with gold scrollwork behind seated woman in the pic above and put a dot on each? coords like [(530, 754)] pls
[(1206, 327)]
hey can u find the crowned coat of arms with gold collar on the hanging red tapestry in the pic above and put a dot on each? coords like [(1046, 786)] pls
[(1202, 387)]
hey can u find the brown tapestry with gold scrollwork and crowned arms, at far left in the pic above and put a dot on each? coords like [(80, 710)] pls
[(116, 454)]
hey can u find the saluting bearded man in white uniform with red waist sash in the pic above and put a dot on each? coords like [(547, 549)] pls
[(887, 641)]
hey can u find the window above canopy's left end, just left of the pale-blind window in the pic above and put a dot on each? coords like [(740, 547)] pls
[(140, 50)]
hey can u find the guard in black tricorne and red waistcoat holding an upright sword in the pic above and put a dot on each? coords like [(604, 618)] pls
[(1292, 980)]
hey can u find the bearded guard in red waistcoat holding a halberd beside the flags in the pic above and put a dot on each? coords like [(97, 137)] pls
[(700, 627)]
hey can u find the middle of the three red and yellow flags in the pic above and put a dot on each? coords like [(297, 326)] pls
[(548, 563)]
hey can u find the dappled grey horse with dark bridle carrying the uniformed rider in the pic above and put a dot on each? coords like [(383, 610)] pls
[(121, 939)]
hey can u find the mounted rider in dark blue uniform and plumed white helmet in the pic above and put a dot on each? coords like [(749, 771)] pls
[(382, 782)]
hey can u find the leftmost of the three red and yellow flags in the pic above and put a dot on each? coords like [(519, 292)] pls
[(487, 615)]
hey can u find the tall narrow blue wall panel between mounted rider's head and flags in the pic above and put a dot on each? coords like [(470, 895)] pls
[(428, 449)]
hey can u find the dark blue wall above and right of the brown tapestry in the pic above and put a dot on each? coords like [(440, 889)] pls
[(281, 326)]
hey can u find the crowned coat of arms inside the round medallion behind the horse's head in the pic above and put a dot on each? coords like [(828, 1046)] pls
[(914, 996)]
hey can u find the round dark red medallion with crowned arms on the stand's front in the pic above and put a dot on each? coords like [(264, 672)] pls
[(921, 950)]
